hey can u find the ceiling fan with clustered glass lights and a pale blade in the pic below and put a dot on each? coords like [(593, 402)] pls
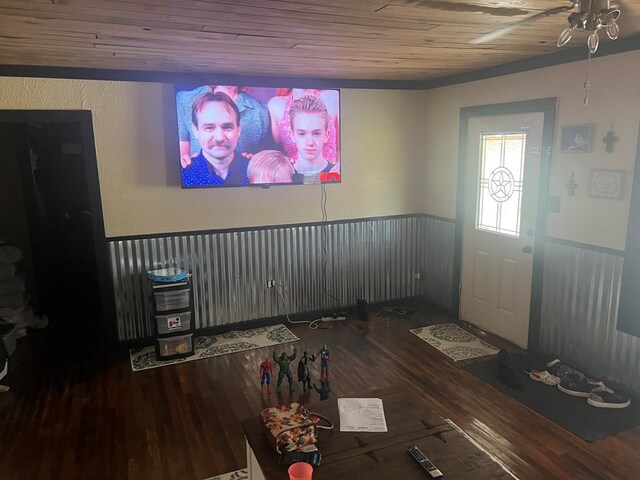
[(589, 15)]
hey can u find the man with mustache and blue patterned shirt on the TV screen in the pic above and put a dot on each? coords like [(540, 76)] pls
[(216, 125)]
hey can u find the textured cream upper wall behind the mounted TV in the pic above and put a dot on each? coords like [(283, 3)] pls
[(140, 185)]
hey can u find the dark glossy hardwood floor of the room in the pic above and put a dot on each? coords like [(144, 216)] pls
[(86, 415)]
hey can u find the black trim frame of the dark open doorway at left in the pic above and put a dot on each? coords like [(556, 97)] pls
[(84, 119)]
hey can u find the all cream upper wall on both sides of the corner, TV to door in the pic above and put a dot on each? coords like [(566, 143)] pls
[(399, 151)]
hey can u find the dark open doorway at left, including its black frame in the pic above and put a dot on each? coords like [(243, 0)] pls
[(55, 217)]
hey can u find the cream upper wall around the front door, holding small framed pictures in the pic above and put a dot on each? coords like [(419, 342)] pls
[(614, 102)]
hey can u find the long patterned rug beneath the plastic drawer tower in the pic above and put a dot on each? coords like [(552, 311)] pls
[(212, 346)]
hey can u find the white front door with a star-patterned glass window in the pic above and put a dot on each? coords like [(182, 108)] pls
[(500, 207)]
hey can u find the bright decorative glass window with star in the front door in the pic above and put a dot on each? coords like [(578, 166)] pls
[(500, 180)]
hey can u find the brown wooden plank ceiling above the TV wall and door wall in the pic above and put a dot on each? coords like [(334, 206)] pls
[(338, 39)]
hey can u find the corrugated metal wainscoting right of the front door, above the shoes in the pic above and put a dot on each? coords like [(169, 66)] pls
[(581, 289)]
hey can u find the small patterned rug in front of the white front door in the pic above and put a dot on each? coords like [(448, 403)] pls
[(454, 342)]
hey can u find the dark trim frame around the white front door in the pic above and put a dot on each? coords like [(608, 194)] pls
[(548, 107)]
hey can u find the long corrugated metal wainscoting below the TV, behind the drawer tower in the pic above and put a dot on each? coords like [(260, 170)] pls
[(375, 259)]
